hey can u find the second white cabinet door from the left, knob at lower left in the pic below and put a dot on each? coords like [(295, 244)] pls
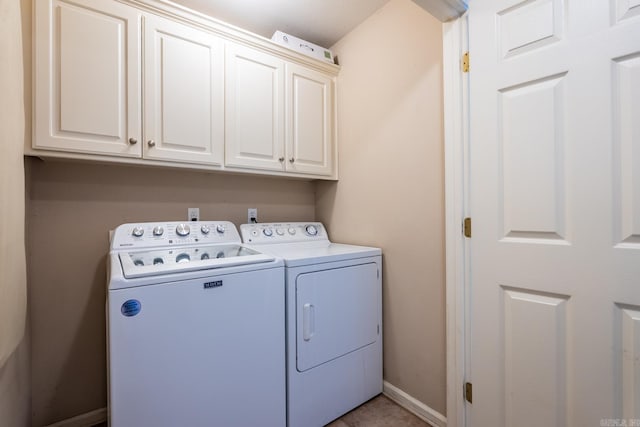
[(183, 101)]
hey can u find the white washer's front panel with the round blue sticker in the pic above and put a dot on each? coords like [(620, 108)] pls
[(205, 352)]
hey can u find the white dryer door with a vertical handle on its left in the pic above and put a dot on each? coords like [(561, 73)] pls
[(336, 313)]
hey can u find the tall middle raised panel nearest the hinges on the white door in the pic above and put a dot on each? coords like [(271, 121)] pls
[(531, 172)]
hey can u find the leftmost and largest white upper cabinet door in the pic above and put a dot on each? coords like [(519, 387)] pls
[(87, 74)]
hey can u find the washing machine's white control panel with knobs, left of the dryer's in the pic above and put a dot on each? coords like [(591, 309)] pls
[(153, 234)]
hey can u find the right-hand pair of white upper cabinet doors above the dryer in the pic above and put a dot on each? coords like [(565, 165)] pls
[(279, 115)]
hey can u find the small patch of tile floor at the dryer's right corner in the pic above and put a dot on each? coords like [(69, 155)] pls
[(379, 412)]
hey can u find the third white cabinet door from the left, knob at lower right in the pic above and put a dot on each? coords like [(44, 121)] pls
[(254, 109)]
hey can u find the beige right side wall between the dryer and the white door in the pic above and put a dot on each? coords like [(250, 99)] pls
[(391, 191)]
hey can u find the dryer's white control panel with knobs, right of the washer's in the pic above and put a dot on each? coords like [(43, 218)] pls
[(282, 232)]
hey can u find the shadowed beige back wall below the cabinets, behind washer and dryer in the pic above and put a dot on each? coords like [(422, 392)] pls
[(73, 206)]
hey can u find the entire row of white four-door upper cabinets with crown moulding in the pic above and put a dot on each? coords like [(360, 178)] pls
[(146, 82)]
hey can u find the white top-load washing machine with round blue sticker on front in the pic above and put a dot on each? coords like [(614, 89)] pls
[(196, 331)]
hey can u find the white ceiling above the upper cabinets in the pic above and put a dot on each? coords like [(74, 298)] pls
[(322, 22)]
